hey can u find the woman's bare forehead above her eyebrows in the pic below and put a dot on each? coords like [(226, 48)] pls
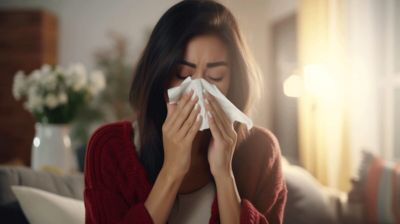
[(206, 48)]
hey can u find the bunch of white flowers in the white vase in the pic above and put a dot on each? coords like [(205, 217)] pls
[(54, 94)]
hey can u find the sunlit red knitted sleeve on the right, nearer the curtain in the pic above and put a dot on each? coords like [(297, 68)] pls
[(260, 178)]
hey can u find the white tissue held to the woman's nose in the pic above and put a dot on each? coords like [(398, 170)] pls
[(198, 85)]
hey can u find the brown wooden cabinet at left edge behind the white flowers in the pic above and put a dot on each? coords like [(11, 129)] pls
[(28, 39)]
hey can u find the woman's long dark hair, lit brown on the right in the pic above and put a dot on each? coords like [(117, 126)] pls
[(159, 61)]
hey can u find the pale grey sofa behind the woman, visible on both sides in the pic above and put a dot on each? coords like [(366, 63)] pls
[(307, 202)]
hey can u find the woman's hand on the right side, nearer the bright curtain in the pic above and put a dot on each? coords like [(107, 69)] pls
[(223, 142)]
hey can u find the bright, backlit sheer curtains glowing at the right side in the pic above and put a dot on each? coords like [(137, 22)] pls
[(348, 51)]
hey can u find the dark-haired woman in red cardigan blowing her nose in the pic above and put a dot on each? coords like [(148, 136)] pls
[(160, 168)]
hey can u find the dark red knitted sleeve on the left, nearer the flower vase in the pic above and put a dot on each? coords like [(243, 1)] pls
[(103, 197)]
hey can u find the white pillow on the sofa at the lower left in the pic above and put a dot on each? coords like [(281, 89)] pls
[(42, 207)]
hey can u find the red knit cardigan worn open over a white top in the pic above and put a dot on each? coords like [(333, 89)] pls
[(116, 183)]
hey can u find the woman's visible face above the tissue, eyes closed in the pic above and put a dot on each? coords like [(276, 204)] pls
[(205, 57)]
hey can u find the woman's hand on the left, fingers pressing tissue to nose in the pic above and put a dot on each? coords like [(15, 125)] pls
[(179, 129)]
